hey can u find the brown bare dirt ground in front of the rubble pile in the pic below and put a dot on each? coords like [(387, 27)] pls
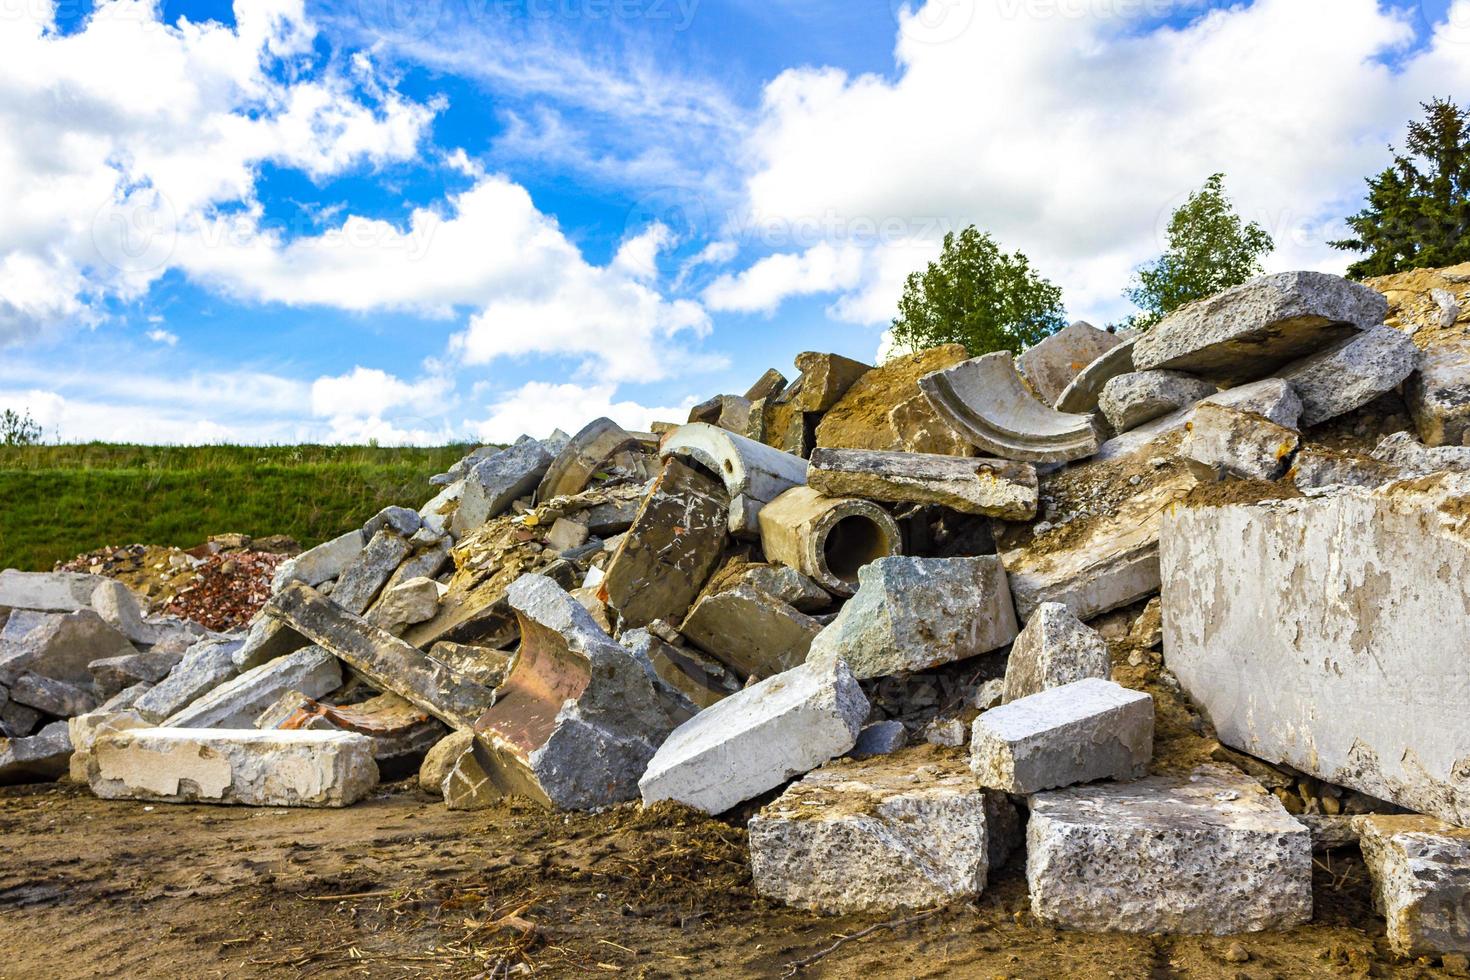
[(402, 888)]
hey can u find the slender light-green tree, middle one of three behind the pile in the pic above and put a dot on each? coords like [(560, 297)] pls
[(1211, 249)]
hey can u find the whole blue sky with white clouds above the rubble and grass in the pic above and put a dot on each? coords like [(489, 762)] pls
[(423, 221)]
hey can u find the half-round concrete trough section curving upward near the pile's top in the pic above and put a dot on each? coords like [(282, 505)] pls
[(989, 403)]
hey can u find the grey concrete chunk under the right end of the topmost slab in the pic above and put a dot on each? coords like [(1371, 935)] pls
[(1352, 374)]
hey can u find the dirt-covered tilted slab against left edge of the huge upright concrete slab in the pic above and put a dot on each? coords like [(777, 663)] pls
[(1106, 563)]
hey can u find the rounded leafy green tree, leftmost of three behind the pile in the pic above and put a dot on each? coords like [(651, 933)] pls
[(978, 296)]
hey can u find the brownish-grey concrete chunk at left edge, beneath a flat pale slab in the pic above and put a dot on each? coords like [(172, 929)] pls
[(58, 646)]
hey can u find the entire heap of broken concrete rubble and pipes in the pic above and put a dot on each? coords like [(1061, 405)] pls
[(909, 622)]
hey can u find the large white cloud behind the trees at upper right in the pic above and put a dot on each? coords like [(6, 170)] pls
[(1072, 134)]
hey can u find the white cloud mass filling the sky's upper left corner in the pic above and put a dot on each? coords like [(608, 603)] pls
[(121, 134)]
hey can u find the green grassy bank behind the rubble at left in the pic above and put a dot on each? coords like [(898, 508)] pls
[(58, 502)]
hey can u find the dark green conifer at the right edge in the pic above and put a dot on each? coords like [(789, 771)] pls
[(1418, 214)]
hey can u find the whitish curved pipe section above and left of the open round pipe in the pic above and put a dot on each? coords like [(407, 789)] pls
[(755, 474)]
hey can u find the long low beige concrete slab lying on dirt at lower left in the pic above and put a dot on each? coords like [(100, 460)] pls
[(257, 769)]
